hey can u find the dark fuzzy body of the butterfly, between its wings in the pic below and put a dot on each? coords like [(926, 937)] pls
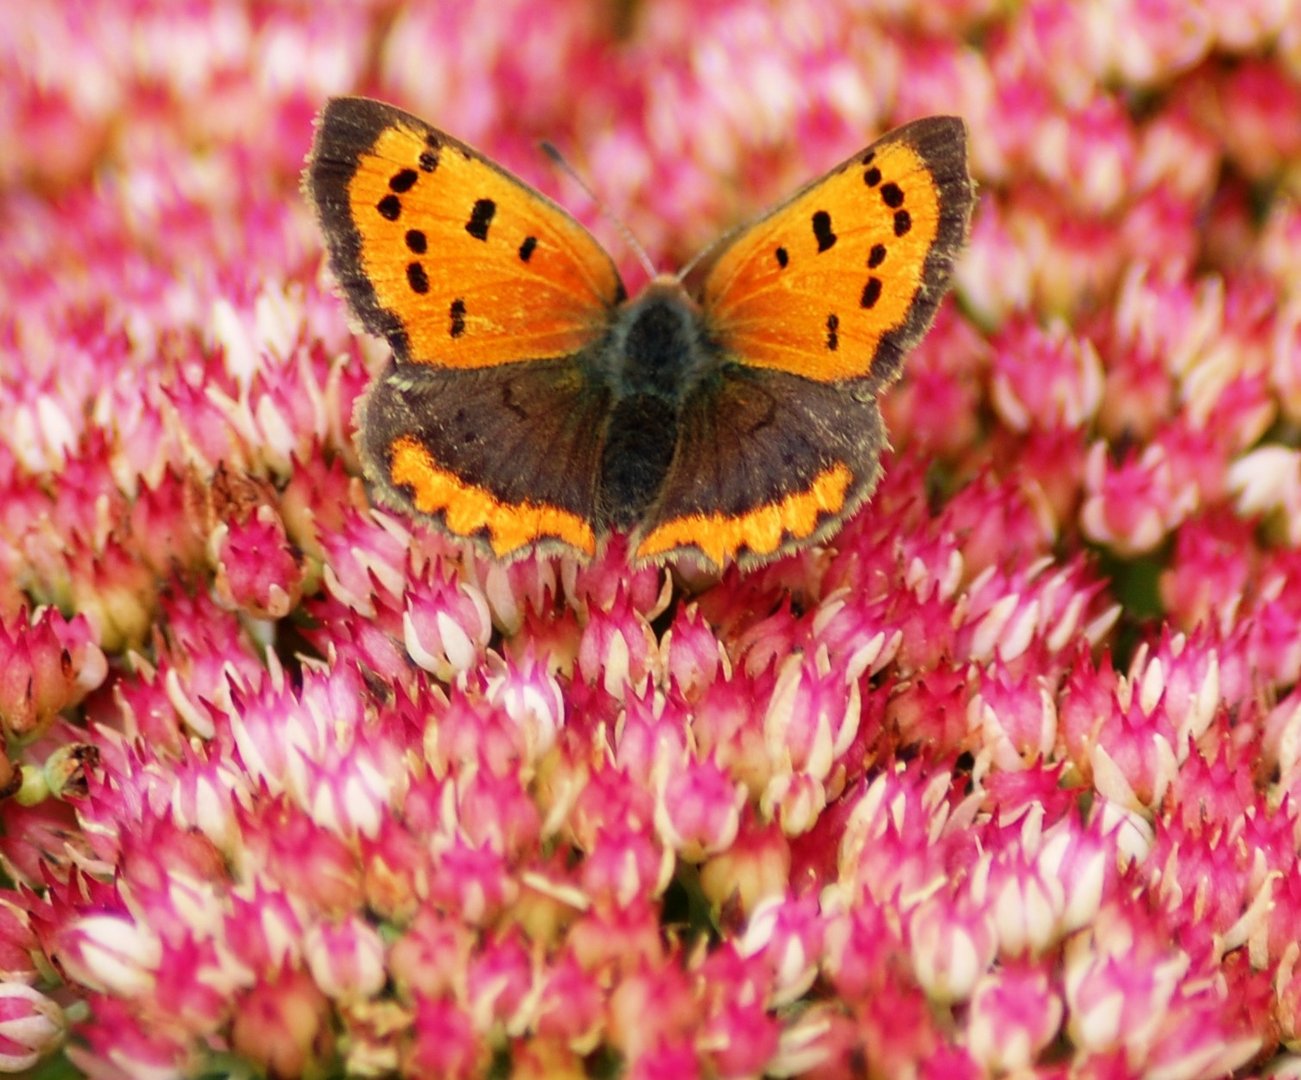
[(654, 361)]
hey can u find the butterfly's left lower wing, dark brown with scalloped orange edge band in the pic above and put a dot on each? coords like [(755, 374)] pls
[(507, 456)]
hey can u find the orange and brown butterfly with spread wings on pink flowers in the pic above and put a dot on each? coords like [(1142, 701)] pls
[(531, 405)]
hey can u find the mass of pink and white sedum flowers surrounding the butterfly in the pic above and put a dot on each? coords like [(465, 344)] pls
[(1002, 781)]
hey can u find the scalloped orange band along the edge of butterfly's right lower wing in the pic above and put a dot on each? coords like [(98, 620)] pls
[(764, 532)]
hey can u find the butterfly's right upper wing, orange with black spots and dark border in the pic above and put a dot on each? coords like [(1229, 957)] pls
[(840, 282)]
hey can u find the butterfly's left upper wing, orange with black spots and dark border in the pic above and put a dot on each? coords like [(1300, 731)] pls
[(449, 257)]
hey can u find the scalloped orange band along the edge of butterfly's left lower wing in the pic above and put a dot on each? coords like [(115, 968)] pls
[(469, 511)]
